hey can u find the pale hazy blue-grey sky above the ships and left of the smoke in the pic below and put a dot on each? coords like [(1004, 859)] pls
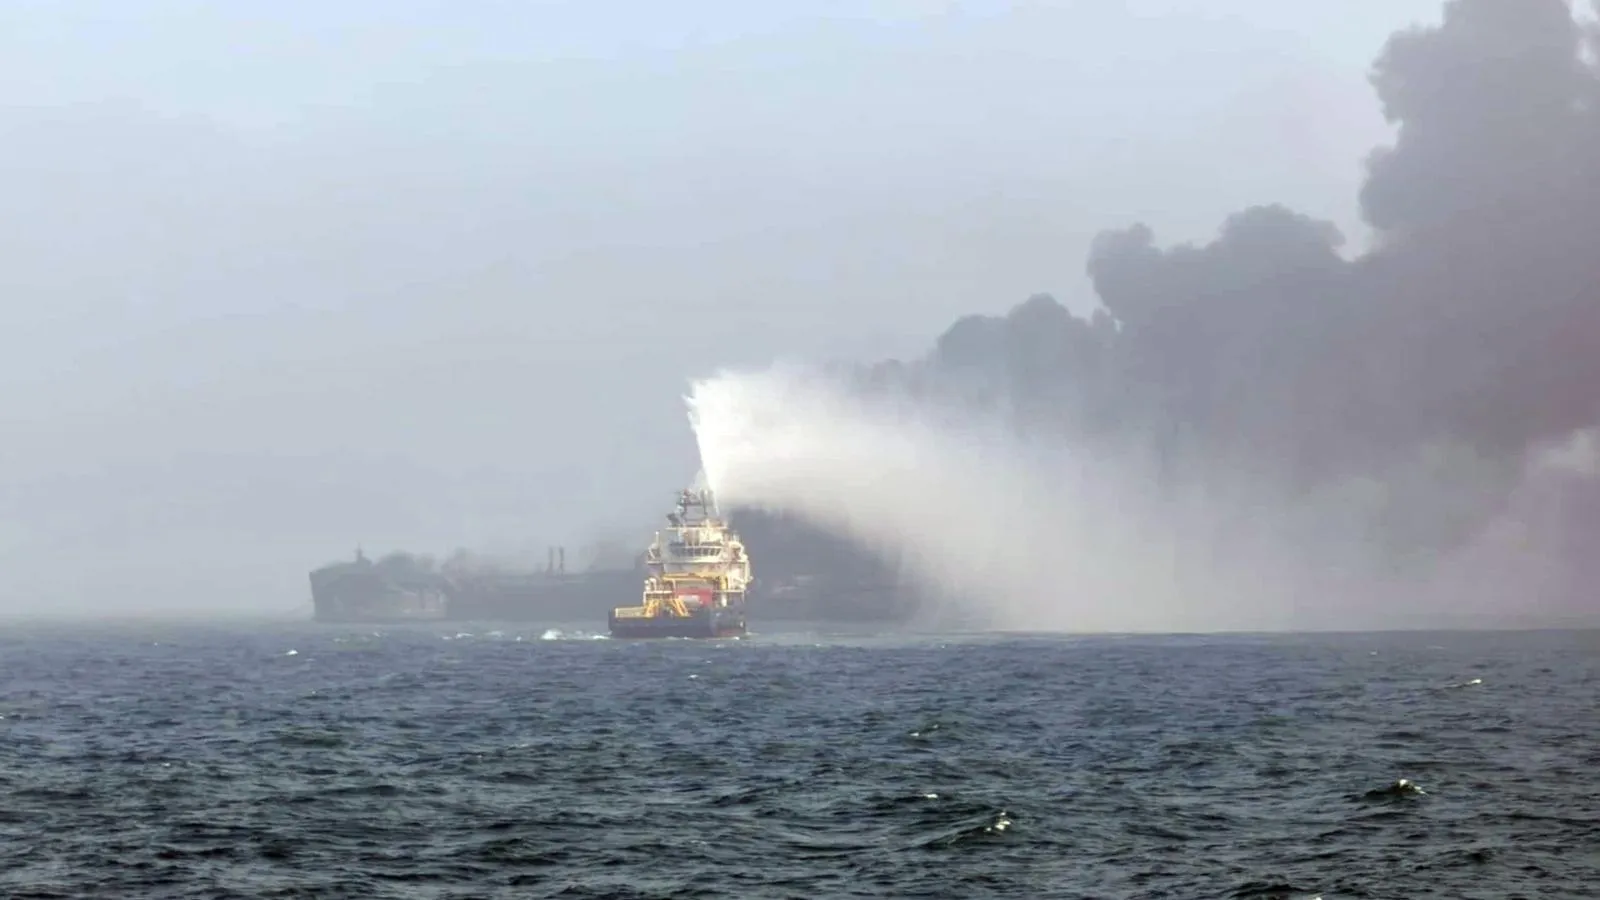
[(287, 278)]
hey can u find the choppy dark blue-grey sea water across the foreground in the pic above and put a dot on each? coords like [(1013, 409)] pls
[(185, 761)]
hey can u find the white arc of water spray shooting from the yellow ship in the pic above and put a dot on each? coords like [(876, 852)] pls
[(1023, 536)]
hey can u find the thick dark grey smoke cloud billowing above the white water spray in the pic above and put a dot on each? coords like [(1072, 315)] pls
[(1452, 361)]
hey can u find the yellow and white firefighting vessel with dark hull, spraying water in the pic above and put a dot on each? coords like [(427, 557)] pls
[(697, 576)]
